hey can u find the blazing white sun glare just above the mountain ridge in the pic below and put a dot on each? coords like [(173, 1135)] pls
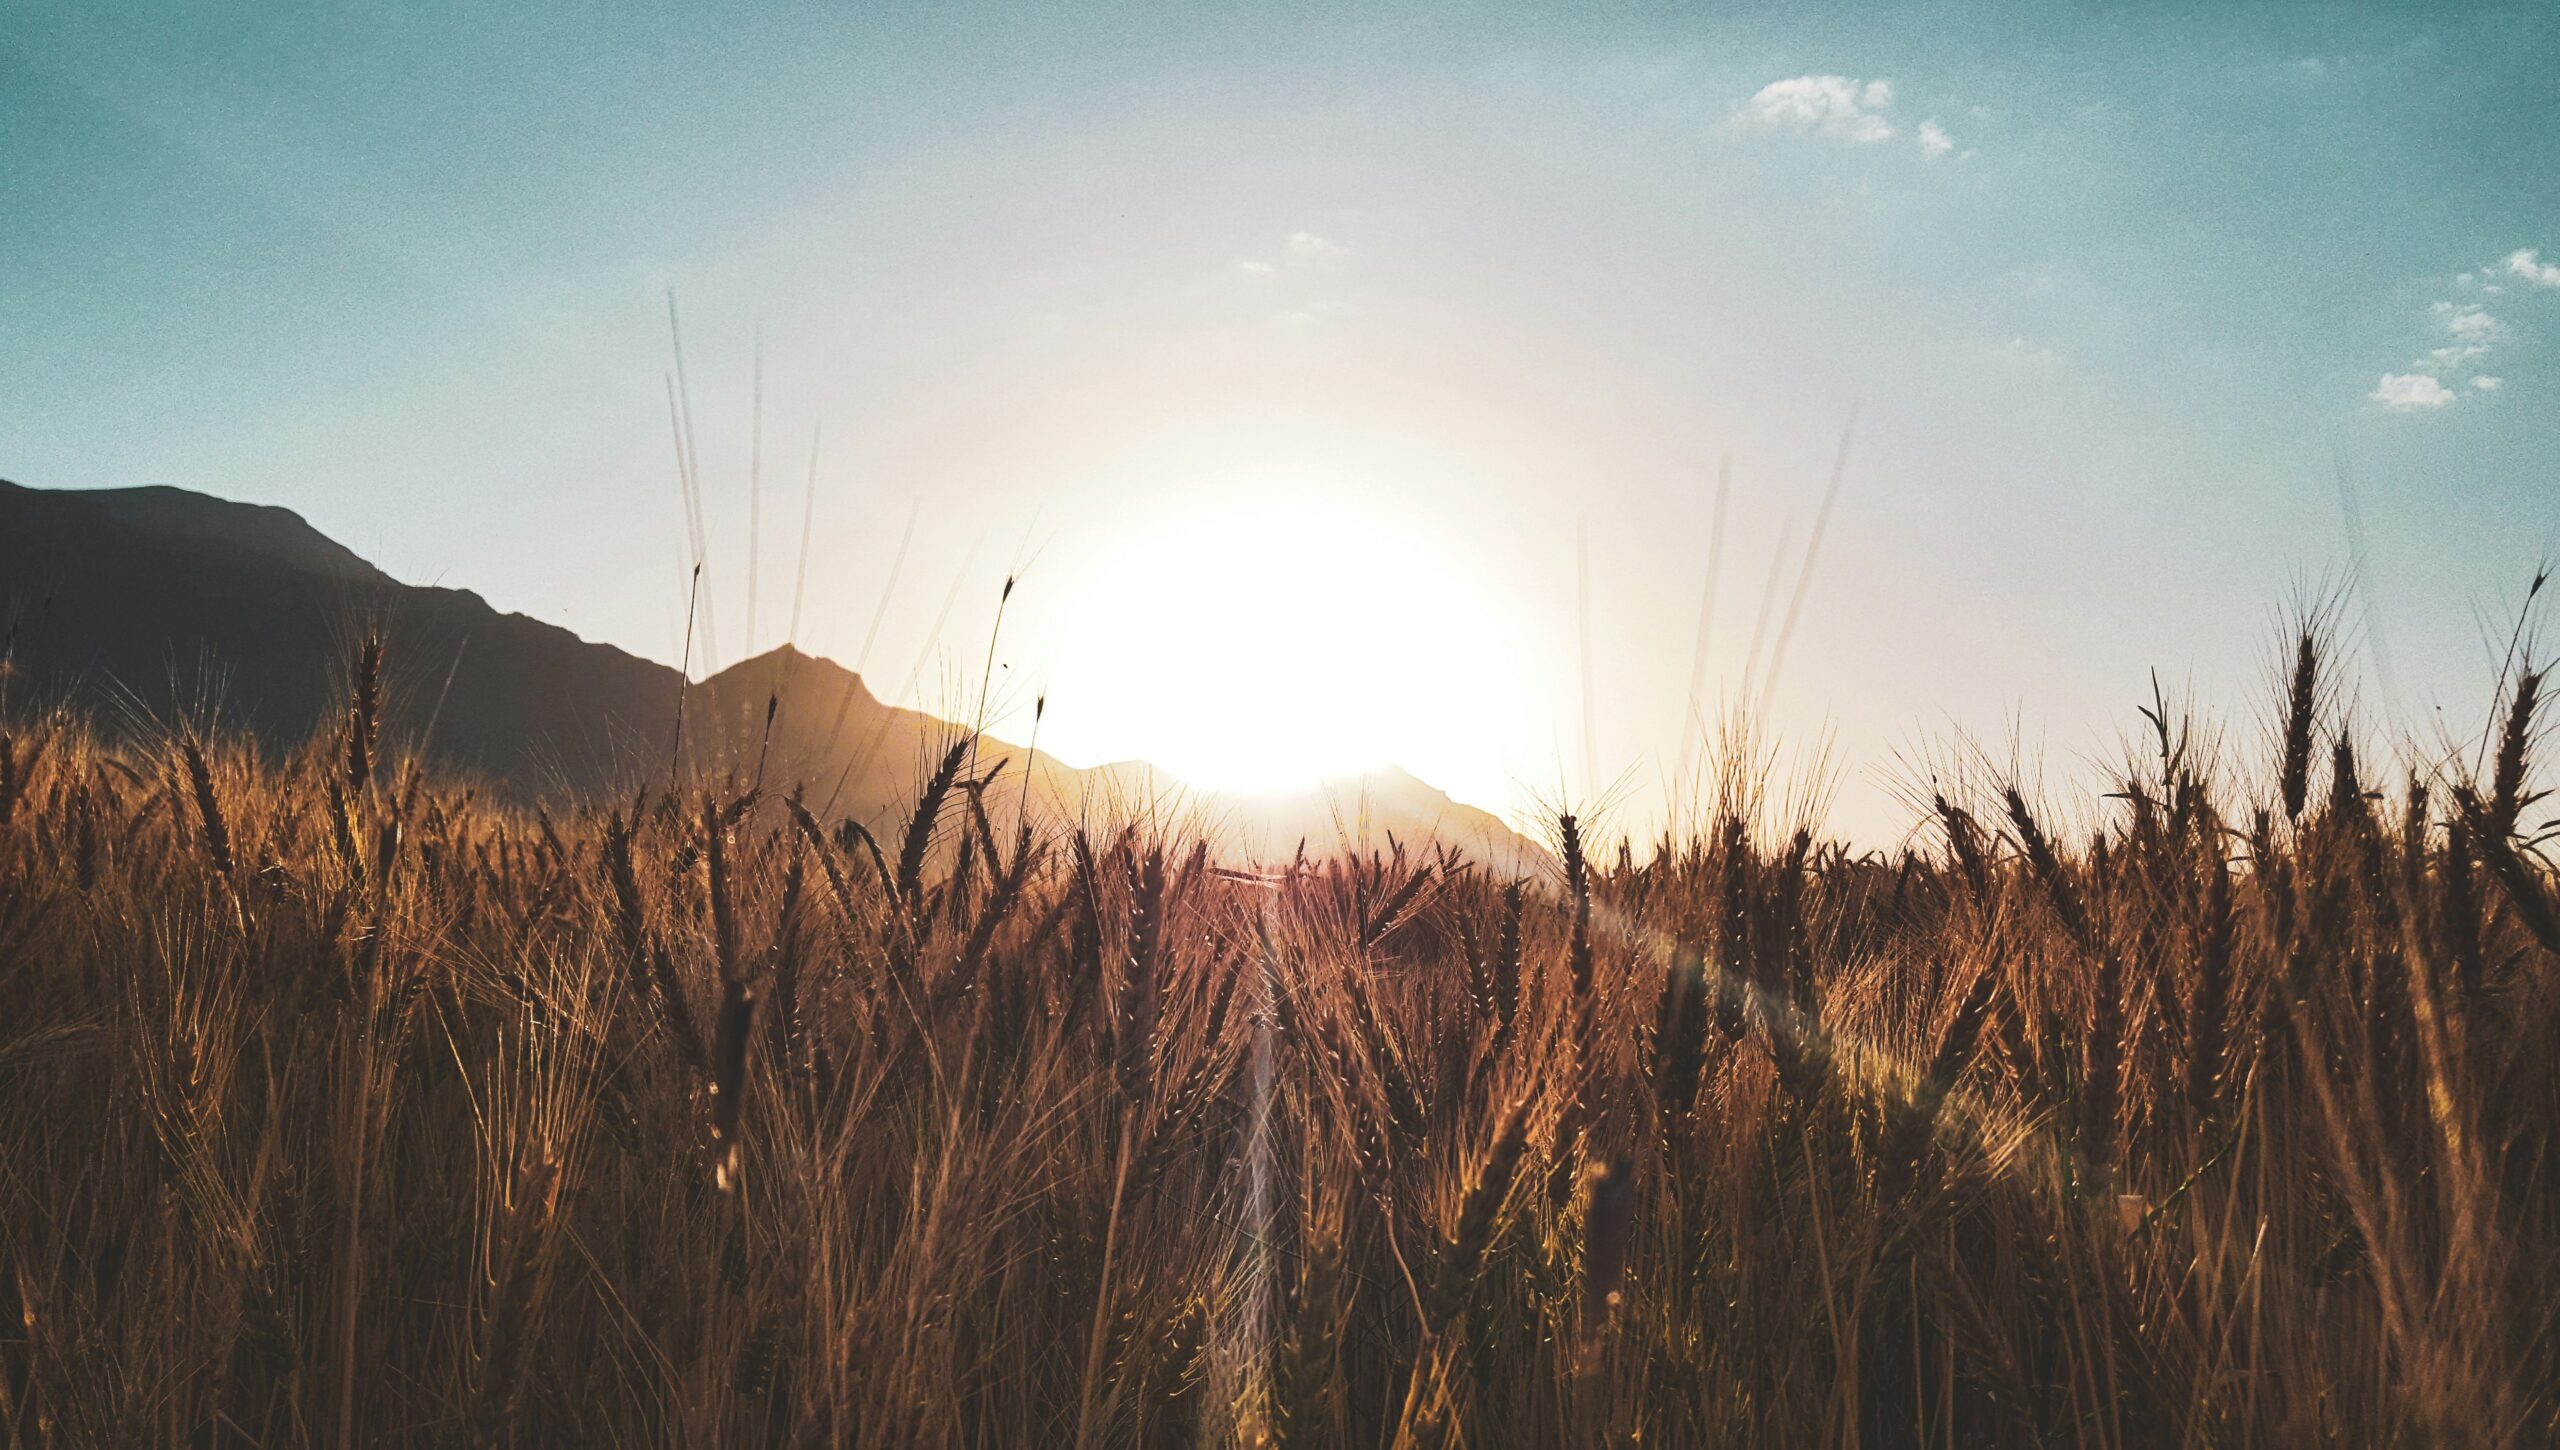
[(1281, 637)]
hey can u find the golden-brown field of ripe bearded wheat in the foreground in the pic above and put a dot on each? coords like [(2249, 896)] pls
[(344, 1105)]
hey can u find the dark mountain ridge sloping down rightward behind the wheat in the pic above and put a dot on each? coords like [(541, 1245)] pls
[(180, 603)]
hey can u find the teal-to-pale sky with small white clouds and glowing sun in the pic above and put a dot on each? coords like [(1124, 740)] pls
[(1350, 386)]
